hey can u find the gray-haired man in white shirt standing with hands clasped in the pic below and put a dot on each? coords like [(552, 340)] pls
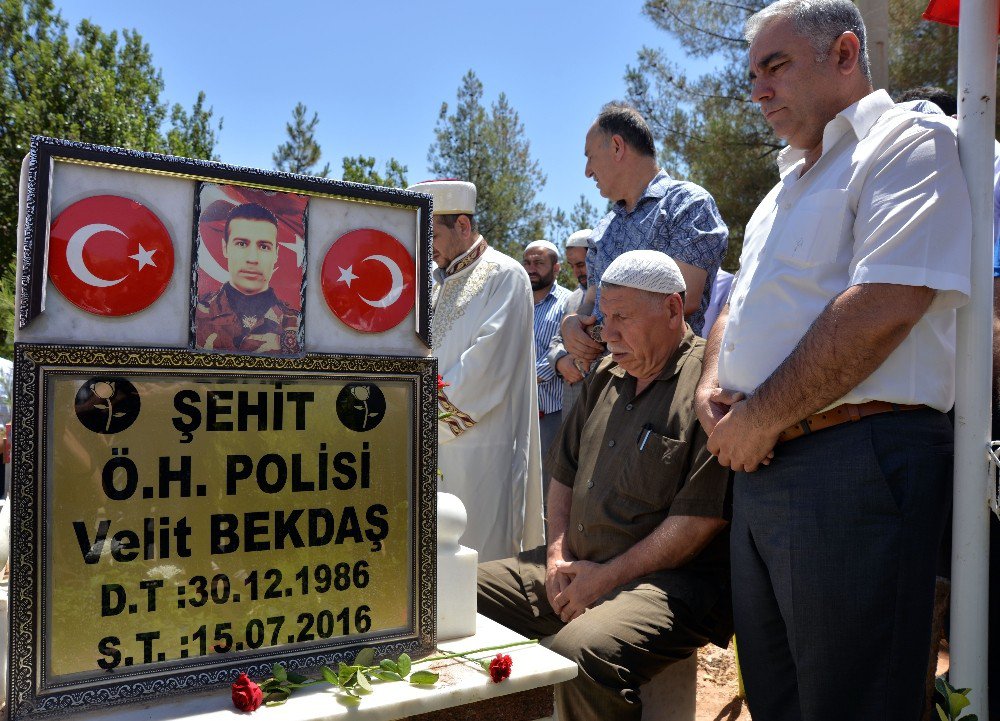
[(828, 375)]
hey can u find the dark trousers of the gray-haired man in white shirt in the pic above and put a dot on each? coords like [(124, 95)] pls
[(833, 554)]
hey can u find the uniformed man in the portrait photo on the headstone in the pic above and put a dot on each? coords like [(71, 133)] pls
[(245, 314)]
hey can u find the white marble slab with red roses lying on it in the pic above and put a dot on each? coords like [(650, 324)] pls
[(460, 683)]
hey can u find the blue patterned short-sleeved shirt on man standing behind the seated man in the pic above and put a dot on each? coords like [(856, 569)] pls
[(672, 216)]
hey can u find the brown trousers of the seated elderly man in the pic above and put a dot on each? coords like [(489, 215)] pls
[(620, 643)]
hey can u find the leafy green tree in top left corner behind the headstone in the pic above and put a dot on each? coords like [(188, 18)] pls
[(98, 87)]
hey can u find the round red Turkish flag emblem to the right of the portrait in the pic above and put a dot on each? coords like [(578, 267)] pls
[(368, 280)]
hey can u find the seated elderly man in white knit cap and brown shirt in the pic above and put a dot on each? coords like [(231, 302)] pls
[(636, 572)]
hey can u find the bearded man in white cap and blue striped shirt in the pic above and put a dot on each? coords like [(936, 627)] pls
[(541, 260)]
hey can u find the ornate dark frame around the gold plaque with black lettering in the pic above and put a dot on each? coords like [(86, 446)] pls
[(27, 696)]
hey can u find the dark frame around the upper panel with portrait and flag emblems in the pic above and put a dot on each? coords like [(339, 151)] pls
[(46, 151)]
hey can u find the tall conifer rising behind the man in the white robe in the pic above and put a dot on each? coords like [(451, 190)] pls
[(489, 148)]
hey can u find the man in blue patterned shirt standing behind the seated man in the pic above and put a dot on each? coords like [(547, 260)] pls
[(652, 211)]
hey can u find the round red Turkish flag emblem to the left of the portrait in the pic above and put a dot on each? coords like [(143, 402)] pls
[(110, 255)]
